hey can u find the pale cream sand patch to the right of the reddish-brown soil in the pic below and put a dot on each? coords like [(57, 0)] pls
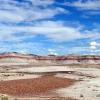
[(88, 89)]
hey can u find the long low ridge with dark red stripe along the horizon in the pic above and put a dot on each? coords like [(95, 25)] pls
[(18, 58)]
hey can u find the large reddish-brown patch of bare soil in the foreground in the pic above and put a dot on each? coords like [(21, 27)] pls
[(31, 87)]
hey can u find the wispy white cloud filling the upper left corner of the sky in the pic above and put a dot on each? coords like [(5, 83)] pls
[(14, 11)]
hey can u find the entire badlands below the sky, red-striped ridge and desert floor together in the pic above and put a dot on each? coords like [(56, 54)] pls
[(33, 77)]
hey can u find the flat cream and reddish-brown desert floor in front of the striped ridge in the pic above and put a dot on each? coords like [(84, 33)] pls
[(50, 83)]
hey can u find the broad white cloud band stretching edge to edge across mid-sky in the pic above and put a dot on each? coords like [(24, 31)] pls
[(55, 31)]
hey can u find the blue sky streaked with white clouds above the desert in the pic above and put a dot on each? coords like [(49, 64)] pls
[(50, 26)]
